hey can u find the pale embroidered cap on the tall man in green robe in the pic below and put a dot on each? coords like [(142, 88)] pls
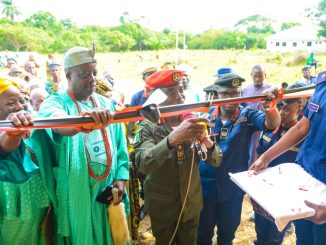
[(77, 56)]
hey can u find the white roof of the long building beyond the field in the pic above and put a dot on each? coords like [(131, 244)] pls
[(298, 33)]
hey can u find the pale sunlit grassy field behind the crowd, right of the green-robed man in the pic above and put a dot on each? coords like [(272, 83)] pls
[(280, 68)]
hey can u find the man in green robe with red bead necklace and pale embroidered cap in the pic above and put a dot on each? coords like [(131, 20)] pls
[(77, 164)]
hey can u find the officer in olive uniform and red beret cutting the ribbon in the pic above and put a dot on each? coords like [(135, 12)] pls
[(165, 154)]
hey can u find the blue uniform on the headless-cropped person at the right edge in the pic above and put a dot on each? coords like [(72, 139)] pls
[(312, 157)]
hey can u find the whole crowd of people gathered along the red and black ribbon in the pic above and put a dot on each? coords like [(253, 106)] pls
[(51, 179)]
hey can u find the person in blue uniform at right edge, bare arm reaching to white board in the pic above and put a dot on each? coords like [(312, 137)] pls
[(312, 156)]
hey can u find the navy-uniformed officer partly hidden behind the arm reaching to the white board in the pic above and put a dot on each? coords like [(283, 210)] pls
[(290, 109)]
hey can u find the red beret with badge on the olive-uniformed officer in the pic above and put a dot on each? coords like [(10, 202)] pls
[(163, 78)]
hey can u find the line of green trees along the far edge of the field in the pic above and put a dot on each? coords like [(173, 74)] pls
[(43, 33)]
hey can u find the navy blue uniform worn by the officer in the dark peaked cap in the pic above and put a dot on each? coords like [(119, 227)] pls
[(222, 199)]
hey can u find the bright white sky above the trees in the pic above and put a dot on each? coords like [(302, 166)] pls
[(193, 16)]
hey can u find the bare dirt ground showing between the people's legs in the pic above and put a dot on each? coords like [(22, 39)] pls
[(245, 234)]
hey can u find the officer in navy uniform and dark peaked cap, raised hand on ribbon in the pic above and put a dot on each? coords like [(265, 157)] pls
[(233, 125)]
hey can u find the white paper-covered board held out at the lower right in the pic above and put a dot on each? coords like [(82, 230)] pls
[(281, 191)]
